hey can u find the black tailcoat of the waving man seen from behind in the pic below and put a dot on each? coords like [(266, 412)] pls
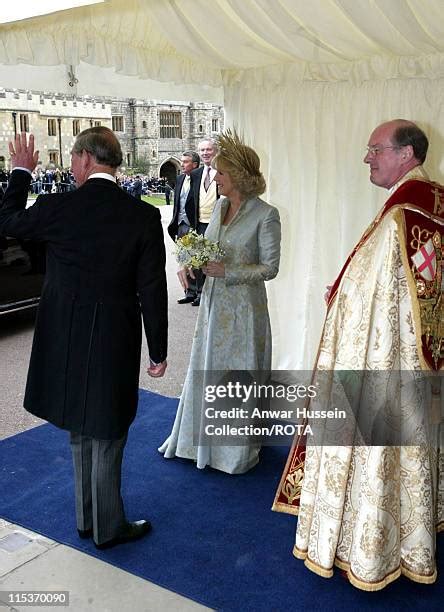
[(105, 266)]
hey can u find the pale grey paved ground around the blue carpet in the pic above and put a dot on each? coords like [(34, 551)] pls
[(30, 562)]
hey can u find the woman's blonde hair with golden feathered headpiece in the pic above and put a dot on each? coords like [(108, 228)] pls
[(241, 162)]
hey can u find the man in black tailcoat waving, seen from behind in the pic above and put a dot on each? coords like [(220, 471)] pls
[(105, 270)]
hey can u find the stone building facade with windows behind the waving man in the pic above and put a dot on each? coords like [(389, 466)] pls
[(153, 134)]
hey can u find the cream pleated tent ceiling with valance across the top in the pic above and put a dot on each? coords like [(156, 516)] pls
[(256, 41)]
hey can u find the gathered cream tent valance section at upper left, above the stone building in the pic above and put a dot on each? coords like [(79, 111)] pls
[(125, 39)]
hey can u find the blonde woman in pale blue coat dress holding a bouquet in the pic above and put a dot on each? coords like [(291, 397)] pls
[(233, 327)]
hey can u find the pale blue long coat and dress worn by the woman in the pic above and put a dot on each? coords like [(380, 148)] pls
[(233, 327)]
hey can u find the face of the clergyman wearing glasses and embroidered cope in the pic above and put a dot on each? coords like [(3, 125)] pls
[(384, 158)]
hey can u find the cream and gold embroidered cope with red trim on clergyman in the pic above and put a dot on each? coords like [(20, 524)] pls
[(374, 510)]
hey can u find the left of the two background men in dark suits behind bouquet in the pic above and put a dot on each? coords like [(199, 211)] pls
[(184, 211)]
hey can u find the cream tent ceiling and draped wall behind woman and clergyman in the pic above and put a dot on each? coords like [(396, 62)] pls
[(306, 82)]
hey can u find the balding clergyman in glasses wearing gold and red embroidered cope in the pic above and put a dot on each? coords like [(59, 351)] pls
[(368, 504)]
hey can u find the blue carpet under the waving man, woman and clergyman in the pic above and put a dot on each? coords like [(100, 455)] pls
[(214, 540)]
